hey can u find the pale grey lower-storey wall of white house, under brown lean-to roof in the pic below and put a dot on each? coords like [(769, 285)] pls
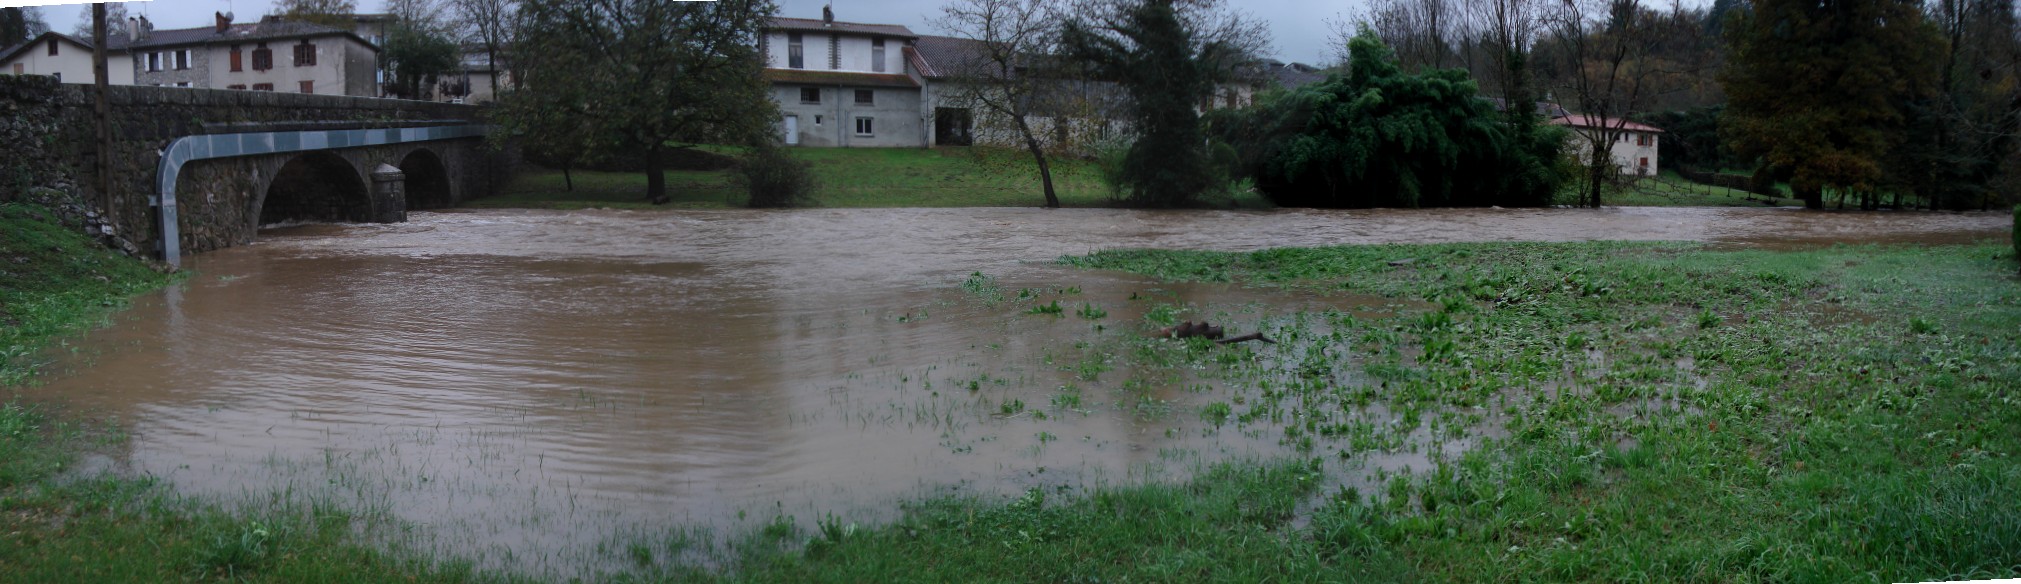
[(896, 116)]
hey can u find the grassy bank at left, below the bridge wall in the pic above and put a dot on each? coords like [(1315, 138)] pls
[(64, 520)]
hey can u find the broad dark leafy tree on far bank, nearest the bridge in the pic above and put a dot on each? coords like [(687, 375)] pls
[(642, 76)]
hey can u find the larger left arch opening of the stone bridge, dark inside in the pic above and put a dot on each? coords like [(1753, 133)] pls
[(316, 187)]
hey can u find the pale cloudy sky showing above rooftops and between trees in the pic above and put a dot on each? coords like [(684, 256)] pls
[(1301, 29)]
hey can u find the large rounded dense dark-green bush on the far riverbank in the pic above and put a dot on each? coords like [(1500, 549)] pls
[(1379, 136)]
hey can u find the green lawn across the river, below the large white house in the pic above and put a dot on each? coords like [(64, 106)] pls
[(846, 177)]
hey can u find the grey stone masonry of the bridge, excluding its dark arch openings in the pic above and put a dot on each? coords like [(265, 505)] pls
[(50, 138)]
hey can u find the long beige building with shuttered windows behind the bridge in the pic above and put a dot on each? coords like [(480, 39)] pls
[(260, 58)]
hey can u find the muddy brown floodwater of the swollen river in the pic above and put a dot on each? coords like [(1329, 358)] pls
[(524, 385)]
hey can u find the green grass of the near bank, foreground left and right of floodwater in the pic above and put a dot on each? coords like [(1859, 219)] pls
[(1840, 415)]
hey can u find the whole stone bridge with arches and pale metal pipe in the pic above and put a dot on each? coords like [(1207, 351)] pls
[(205, 169)]
